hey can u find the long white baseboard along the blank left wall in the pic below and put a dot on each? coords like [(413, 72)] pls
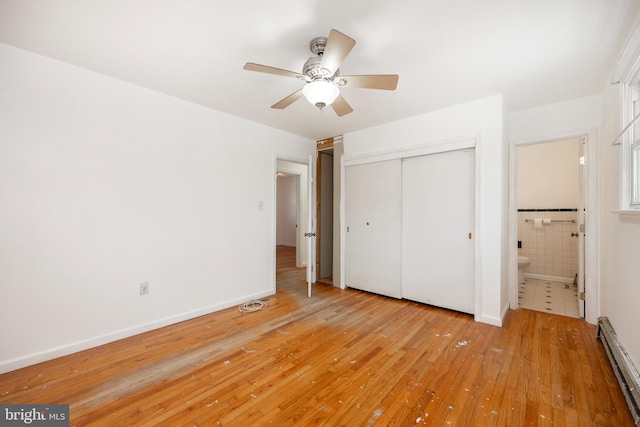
[(64, 350)]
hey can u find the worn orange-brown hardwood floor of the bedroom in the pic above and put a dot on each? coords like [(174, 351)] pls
[(341, 358)]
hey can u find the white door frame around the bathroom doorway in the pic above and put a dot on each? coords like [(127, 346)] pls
[(590, 235)]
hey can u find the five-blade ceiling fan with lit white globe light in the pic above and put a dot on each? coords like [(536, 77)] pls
[(322, 77)]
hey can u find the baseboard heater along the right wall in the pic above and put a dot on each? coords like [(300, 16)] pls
[(623, 367)]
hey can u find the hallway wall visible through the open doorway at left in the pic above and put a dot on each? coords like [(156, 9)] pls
[(287, 210)]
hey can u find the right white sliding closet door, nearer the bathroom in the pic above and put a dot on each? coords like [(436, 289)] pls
[(437, 225)]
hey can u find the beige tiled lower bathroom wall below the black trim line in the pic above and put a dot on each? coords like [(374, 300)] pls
[(551, 249)]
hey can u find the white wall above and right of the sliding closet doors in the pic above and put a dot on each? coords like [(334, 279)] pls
[(482, 120)]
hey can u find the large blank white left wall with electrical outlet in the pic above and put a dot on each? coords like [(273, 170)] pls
[(104, 185)]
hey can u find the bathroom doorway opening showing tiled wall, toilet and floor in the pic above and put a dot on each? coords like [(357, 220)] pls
[(550, 211)]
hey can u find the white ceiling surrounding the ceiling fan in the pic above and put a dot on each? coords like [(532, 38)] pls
[(535, 52)]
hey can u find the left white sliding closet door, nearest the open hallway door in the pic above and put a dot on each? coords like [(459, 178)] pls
[(373, 220)]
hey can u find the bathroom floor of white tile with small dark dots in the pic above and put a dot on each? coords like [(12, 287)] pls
[(551, 297)]
